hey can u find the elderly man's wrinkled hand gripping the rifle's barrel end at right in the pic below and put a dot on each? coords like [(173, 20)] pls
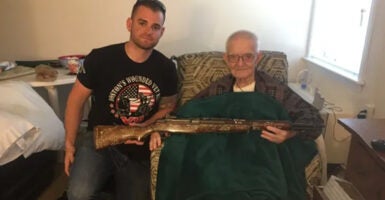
[(276, 135)]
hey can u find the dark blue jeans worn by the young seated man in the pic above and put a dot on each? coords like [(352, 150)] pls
[(93, 168)]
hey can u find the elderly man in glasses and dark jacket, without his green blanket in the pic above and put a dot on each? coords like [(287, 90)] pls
[(242, 58)]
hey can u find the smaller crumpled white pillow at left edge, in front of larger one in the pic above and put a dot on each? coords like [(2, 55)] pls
[(16, 135)]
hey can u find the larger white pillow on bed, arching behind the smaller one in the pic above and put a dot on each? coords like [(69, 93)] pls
[(21, 99)]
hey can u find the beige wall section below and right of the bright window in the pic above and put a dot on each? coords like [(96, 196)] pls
[(349, 95)]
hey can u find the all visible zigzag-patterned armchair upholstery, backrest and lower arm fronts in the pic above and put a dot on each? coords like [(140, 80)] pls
[(197, 70)]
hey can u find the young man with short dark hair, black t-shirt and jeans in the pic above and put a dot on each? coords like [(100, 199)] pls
[(129, 83)]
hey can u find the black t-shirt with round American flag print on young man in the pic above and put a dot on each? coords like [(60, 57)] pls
[(124, 91)]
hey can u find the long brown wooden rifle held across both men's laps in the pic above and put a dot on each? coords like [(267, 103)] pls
[(109, 135)]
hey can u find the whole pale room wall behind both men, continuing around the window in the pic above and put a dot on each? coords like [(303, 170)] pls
[(46, 29)]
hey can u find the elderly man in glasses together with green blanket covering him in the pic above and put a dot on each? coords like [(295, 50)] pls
[(266, 164)]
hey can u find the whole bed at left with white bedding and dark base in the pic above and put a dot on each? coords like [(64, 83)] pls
[(30, 136)]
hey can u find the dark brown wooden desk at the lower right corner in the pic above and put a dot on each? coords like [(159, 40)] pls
[(366, 167)]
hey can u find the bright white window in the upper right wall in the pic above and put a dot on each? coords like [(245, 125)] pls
[(338, 35)]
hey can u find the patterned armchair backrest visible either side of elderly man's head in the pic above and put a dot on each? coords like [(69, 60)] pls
[(197, 70)]
